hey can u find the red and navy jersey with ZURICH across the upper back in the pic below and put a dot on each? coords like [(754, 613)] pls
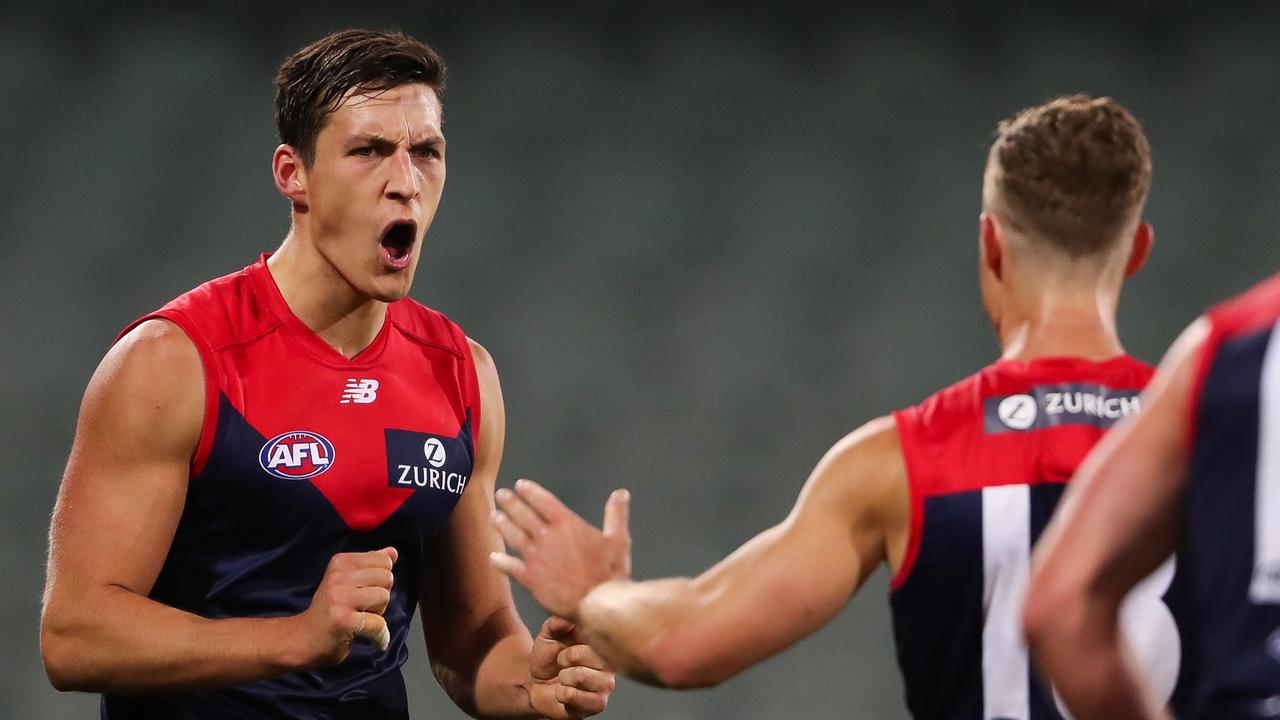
[(988, 462)]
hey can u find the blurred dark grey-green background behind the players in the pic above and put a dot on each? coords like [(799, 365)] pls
[(703, 241)]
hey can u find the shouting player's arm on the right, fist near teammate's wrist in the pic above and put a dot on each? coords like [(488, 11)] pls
[(481, 651)]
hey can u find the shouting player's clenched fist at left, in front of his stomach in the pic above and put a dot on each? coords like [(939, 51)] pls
[(349, 604)]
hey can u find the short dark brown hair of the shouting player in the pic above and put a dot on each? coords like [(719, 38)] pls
[(313, 83)]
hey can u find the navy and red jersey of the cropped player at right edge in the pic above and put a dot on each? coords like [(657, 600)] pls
[(1231, 546)]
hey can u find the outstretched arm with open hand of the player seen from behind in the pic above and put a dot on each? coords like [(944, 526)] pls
[(774, 591)]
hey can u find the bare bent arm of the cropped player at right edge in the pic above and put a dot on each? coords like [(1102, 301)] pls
[(1117, 525)]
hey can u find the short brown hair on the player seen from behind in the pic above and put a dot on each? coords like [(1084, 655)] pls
[(1073, 172)]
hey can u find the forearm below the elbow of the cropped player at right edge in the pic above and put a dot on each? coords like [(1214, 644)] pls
[(1110, 685)]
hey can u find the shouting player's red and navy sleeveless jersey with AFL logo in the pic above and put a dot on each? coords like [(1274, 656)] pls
[(305, 454)]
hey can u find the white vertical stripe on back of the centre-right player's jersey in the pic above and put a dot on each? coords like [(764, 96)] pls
[(1007, 539)]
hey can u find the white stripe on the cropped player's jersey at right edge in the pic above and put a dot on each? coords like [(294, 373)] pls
[(1265, 587)]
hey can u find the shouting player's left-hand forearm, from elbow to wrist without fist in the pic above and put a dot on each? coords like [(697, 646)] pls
[(120, 642)]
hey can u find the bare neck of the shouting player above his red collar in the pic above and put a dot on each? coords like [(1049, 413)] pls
[(319, 297)]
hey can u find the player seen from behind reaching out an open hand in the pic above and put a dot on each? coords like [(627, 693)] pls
[(950, 494)]
